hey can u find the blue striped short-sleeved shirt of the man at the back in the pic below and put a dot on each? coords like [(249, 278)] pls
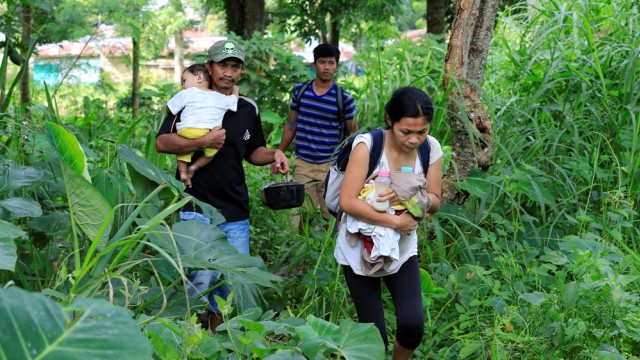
[(318, 126)]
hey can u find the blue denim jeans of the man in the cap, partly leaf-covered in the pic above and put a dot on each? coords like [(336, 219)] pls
[(200, 280)]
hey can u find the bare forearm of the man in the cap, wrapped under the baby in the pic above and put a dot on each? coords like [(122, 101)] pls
[(172, 143)]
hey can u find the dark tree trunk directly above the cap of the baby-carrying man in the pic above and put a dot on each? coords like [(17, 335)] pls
[(244, 17)]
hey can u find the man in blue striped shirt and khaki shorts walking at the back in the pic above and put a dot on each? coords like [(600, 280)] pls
[(316, 125)]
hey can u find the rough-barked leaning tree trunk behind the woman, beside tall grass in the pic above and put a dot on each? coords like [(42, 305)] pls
[(464, 74)]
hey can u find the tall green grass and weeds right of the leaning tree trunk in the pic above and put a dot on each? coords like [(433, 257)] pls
[(541, 257)]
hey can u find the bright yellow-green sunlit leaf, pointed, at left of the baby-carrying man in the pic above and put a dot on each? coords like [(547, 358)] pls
[(68, 148)]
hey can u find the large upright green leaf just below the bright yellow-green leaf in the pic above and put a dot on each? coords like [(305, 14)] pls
[(88, 208)]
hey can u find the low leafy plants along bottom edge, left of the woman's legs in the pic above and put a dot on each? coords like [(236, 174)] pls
[(258, 334)]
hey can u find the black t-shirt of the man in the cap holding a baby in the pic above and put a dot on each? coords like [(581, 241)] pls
[(222, 182)]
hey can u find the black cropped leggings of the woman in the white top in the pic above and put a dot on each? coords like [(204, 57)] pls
[(405, 290)]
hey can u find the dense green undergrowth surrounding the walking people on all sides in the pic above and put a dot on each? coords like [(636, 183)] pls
[(541, 261)]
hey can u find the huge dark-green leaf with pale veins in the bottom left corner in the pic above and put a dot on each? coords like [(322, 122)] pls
[(35, 327)]
